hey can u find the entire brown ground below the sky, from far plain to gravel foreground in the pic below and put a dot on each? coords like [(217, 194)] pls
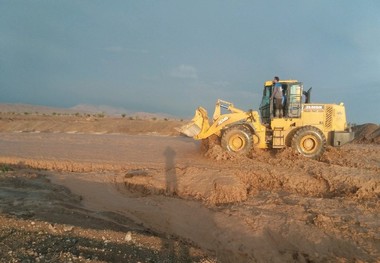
[(81, 187)]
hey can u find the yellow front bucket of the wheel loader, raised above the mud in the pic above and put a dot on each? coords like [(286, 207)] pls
[(197, 125)]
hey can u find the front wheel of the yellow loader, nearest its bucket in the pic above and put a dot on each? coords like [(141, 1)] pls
[(237, 139)]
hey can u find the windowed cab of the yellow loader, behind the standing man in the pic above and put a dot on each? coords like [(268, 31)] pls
[(292, 92)]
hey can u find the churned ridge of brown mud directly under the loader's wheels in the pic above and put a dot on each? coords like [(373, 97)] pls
[(335, 175)]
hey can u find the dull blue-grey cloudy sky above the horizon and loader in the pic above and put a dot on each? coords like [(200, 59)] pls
[(173, 56)]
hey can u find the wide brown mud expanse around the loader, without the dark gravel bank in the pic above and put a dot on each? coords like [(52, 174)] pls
[(271, 207)]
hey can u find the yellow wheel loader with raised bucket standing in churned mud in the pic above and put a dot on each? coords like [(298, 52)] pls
[(306, 127)]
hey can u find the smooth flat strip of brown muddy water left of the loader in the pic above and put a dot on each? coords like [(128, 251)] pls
[(111, 148)]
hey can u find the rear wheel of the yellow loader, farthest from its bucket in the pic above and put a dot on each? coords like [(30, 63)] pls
[(310, 142)]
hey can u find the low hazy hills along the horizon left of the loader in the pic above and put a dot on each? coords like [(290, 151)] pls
[(82, 108)]
